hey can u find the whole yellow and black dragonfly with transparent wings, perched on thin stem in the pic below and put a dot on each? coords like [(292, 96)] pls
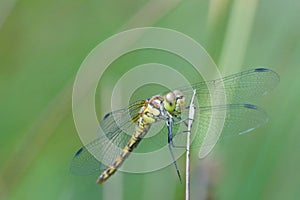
[(113, 146)]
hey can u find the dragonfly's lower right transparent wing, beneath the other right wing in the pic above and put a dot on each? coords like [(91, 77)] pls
[(239, 119)]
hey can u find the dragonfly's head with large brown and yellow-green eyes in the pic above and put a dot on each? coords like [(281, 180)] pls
[(174, 101)]
